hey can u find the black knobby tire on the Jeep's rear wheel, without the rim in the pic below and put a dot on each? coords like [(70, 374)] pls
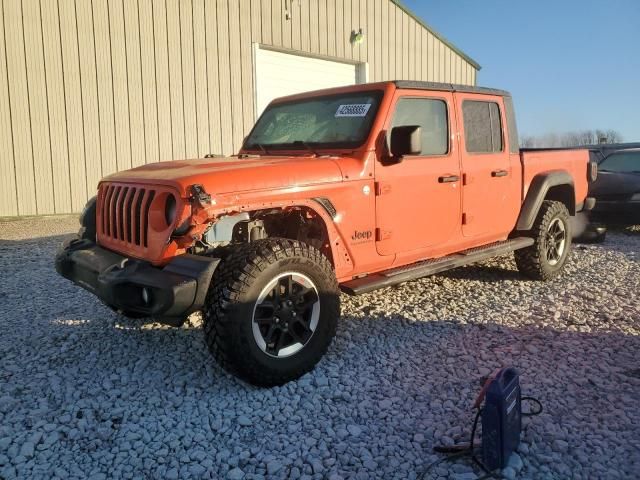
[(534, 261)]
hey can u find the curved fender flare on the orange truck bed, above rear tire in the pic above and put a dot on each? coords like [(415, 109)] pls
[(554, 185)]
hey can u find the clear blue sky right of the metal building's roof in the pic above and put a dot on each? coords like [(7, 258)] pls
[(569, 64)]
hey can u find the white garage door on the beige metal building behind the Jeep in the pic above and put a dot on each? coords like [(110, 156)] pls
[(279, 74)]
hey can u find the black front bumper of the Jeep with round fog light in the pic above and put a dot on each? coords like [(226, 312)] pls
[(168, 294)]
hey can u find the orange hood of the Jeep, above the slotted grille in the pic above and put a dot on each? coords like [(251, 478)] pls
[(232, 174)]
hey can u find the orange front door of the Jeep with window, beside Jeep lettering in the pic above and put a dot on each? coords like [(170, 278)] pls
[(418, 200)]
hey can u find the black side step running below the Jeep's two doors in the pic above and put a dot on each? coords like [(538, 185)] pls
[(421, 269)]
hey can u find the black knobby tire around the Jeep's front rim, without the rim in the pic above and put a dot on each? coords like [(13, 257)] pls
[(243, 273)]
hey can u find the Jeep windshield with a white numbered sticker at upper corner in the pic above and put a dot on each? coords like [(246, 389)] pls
[(332, 121)]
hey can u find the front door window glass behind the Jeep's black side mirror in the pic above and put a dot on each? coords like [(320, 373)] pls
[(431, 115)]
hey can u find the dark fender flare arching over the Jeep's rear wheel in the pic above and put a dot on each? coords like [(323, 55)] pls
[(537, 193)]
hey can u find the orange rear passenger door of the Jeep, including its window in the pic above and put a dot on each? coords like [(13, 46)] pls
[(487, 196)]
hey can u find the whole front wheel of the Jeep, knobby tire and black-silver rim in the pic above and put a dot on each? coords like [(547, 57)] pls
[(271, 311)]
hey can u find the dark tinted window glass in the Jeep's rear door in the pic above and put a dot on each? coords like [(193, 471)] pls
[(482, 127)]
